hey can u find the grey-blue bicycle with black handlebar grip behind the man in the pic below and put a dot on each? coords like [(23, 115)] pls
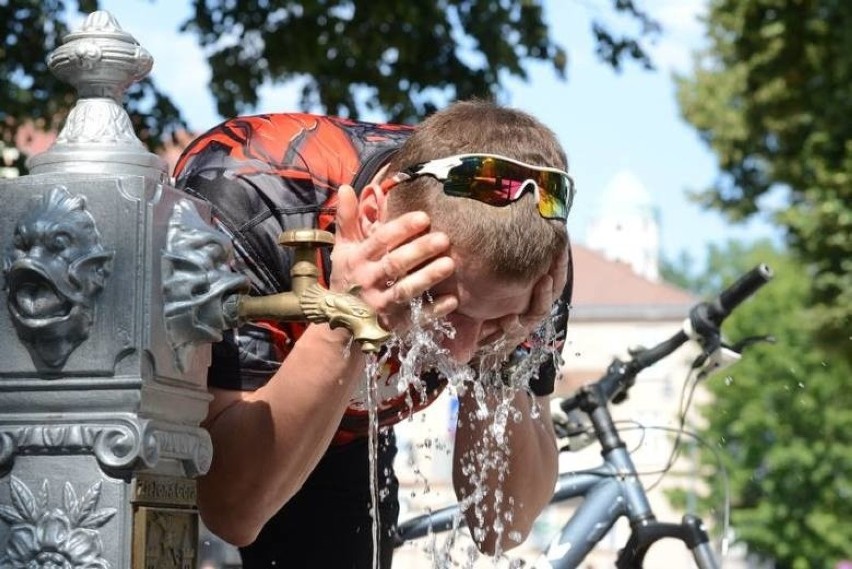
[(613, 490)]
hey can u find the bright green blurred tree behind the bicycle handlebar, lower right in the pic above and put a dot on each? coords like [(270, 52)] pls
[(781, 422)]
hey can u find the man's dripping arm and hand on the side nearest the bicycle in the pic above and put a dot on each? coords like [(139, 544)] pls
[(523, 483)]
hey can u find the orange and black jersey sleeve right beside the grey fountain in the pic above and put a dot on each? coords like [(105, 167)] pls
[(257, 188)]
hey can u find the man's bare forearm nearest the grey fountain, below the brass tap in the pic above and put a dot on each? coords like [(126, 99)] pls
[(268, 441)]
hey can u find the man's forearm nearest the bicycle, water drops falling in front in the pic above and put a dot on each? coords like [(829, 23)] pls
[(529, 477)]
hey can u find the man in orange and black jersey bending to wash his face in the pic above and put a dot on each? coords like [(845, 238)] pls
[(481, 238)]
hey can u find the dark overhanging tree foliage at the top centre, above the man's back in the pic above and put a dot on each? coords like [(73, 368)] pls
[(401, 58)]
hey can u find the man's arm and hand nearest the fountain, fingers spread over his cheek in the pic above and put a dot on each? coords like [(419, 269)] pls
[(267, 442)]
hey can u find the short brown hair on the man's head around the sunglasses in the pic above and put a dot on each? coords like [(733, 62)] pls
[(515, 241)]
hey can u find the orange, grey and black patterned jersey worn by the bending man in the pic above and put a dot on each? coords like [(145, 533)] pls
[(266, 174)]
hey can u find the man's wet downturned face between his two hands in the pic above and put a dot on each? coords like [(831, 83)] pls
[(483, 300)]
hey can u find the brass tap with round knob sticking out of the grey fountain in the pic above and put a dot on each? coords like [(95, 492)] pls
[(308, 300)]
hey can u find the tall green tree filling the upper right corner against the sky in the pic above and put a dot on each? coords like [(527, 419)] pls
[(772, 96)]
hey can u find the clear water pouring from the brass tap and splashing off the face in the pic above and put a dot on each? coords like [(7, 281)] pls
[(494, 390)]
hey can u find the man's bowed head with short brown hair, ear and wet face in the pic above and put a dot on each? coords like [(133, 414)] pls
[(501, 253)]
